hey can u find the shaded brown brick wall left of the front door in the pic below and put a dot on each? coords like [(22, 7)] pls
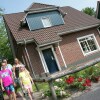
[(34, 58)]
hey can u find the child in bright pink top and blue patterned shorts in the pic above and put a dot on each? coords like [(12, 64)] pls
[(6, 81)]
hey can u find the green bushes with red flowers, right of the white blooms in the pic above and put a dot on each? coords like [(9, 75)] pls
[(82, 79)]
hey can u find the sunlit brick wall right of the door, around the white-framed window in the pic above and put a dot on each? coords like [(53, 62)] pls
[(70, 47)]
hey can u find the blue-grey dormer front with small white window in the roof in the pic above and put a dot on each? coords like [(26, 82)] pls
[(44, 19)]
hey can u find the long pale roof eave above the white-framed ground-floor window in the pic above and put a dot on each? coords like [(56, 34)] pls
[(78, 29)]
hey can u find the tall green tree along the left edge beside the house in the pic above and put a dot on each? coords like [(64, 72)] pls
[(5, 51)]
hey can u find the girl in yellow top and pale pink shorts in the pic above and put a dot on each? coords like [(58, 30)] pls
[(26, 80)]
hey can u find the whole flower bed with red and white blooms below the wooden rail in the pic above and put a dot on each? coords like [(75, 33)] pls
[(75, 83)]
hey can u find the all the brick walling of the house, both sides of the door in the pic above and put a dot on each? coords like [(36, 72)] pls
[(69, 46)]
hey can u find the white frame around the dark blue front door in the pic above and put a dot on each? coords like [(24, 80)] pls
[(43, 60)]
